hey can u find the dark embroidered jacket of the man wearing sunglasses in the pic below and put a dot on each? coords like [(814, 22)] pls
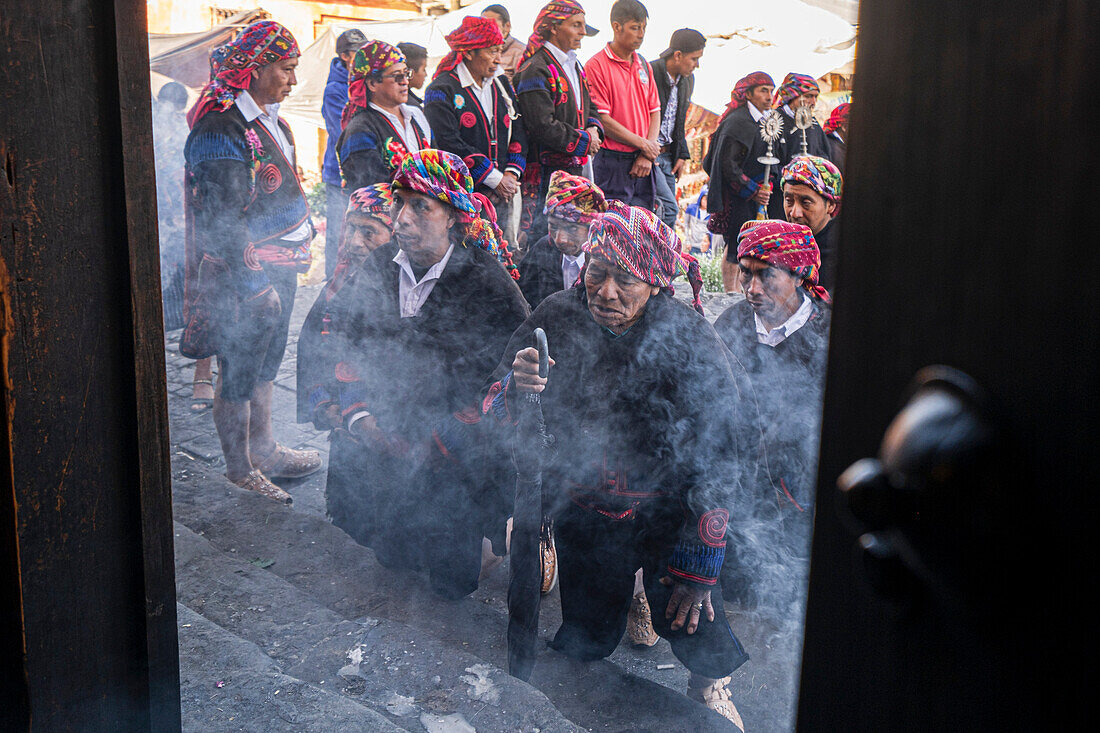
[(370, 149)]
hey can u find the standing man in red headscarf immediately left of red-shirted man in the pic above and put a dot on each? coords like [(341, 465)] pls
[(563, 128)]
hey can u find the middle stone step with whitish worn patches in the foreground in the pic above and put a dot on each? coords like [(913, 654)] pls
[(405, 676)]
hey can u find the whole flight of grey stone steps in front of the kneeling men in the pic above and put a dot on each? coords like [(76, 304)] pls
[(279, 599)]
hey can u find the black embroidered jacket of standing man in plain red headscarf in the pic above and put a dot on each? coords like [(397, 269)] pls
[(461, 127)]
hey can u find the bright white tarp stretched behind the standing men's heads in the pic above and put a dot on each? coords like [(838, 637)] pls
[(776, 37)]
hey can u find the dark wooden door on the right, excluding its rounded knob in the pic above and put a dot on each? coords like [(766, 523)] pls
[(969, 239)]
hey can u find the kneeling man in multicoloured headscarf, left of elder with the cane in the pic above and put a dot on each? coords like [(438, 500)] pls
[(416, 333)]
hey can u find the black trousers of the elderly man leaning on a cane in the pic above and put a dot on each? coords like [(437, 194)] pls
[(598, 559)]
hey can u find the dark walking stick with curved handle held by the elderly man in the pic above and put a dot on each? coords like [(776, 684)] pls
[(532, 447)]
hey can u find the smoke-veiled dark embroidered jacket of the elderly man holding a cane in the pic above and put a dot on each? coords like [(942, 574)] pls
[(647, 424)]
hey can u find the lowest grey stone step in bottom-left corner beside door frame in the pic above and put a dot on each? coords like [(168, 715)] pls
[(227, 684)]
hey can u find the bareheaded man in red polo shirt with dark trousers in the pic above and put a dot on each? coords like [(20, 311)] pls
[(626, 100)]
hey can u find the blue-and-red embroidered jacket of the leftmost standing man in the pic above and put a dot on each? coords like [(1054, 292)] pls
[(244, 196)]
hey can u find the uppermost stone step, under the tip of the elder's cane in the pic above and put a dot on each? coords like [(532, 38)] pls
[(323, 562)]
